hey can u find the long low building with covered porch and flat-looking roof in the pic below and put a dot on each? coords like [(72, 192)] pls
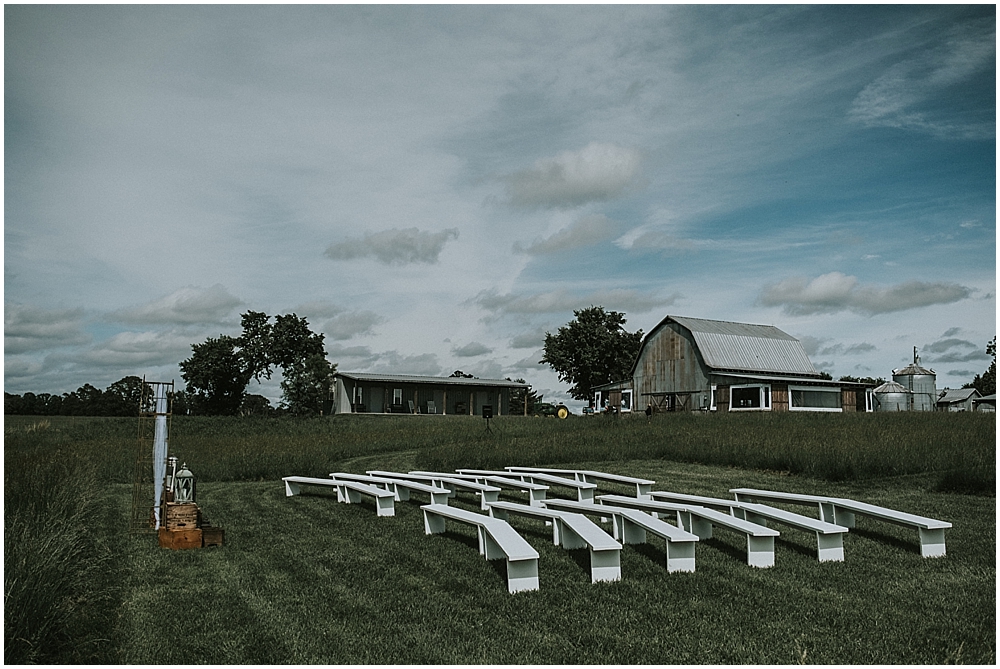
[(363, 392)]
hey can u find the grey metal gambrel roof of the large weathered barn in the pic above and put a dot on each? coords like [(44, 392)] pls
[(744, 347)]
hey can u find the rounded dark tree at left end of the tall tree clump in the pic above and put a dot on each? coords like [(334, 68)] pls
[(216, 376)]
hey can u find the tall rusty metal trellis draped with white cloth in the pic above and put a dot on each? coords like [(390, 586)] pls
[(144, 507)]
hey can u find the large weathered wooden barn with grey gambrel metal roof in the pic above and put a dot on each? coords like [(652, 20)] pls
[(693, 364)]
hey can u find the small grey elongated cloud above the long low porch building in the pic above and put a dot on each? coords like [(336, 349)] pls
[(394, 247)]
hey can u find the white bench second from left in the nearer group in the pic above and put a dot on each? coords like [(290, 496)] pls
[(573, 530)]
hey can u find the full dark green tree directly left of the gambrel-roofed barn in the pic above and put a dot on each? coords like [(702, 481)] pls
[(591, 350)]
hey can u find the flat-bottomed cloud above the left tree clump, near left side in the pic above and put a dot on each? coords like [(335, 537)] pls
[(187, 306)]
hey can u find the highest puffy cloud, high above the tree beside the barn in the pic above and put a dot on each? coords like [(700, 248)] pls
[(595, 173)]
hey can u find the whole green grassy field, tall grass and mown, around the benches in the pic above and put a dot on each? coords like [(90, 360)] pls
[(308, 580)]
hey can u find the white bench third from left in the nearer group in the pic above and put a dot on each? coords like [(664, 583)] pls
[(630, 527)]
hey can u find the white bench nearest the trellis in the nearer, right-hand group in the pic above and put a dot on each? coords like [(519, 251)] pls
[(497, 540)]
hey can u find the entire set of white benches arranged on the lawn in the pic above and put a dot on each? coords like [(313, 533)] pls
[(633, 517)]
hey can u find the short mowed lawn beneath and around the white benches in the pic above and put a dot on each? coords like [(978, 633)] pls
[(308, 580)]
